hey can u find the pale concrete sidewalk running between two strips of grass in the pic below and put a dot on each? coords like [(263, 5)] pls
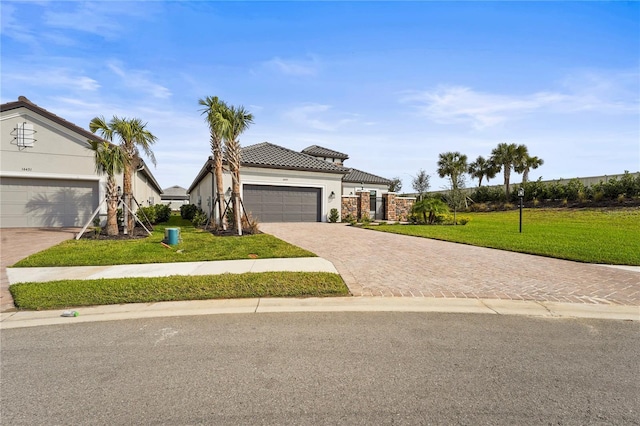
[(304, 264)]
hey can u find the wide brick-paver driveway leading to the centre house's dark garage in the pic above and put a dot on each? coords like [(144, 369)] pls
[(376, 263)]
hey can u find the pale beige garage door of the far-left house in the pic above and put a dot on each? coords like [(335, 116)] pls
[(28, 203)]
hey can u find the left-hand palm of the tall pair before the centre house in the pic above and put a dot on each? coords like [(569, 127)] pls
[(214, 108)]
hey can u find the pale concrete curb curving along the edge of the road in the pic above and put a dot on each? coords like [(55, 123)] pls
[(21, 319)]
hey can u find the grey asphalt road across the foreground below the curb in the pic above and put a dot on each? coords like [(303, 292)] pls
[(333, 368)]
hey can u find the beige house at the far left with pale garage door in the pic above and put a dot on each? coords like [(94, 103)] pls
[(47, 171)]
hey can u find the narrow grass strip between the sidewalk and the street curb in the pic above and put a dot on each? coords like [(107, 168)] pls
[(75, 293)]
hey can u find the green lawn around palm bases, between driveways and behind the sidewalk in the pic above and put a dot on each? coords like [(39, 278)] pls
[(196, 245)]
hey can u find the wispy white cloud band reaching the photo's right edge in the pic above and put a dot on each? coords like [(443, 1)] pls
[(613, 94)]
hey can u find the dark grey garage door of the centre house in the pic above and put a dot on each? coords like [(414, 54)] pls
[(282, 203)]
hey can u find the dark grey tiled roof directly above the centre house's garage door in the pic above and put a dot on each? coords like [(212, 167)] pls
[(268, 155)]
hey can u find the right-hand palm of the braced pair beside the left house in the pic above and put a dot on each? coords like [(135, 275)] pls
[(132, 135)]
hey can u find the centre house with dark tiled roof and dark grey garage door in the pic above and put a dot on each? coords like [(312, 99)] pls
[(282, 185)]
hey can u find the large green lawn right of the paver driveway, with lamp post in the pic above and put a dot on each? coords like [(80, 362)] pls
[(609, 236)]
